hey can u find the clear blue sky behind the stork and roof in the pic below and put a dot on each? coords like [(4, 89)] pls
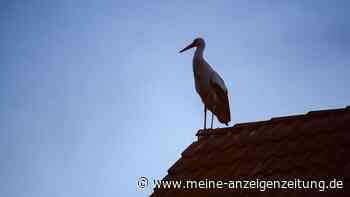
[(94, 94)]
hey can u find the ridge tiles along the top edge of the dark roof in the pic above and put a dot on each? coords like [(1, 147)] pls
[(237, 126)]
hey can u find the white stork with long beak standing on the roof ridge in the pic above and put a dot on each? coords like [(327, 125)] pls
[(209, 85)]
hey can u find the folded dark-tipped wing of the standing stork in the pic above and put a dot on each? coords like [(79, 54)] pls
[(222, 107)]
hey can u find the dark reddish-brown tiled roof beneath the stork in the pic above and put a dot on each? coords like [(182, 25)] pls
[(315, 145)]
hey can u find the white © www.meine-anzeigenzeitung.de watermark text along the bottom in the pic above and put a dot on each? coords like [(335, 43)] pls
[(240, 184)]
